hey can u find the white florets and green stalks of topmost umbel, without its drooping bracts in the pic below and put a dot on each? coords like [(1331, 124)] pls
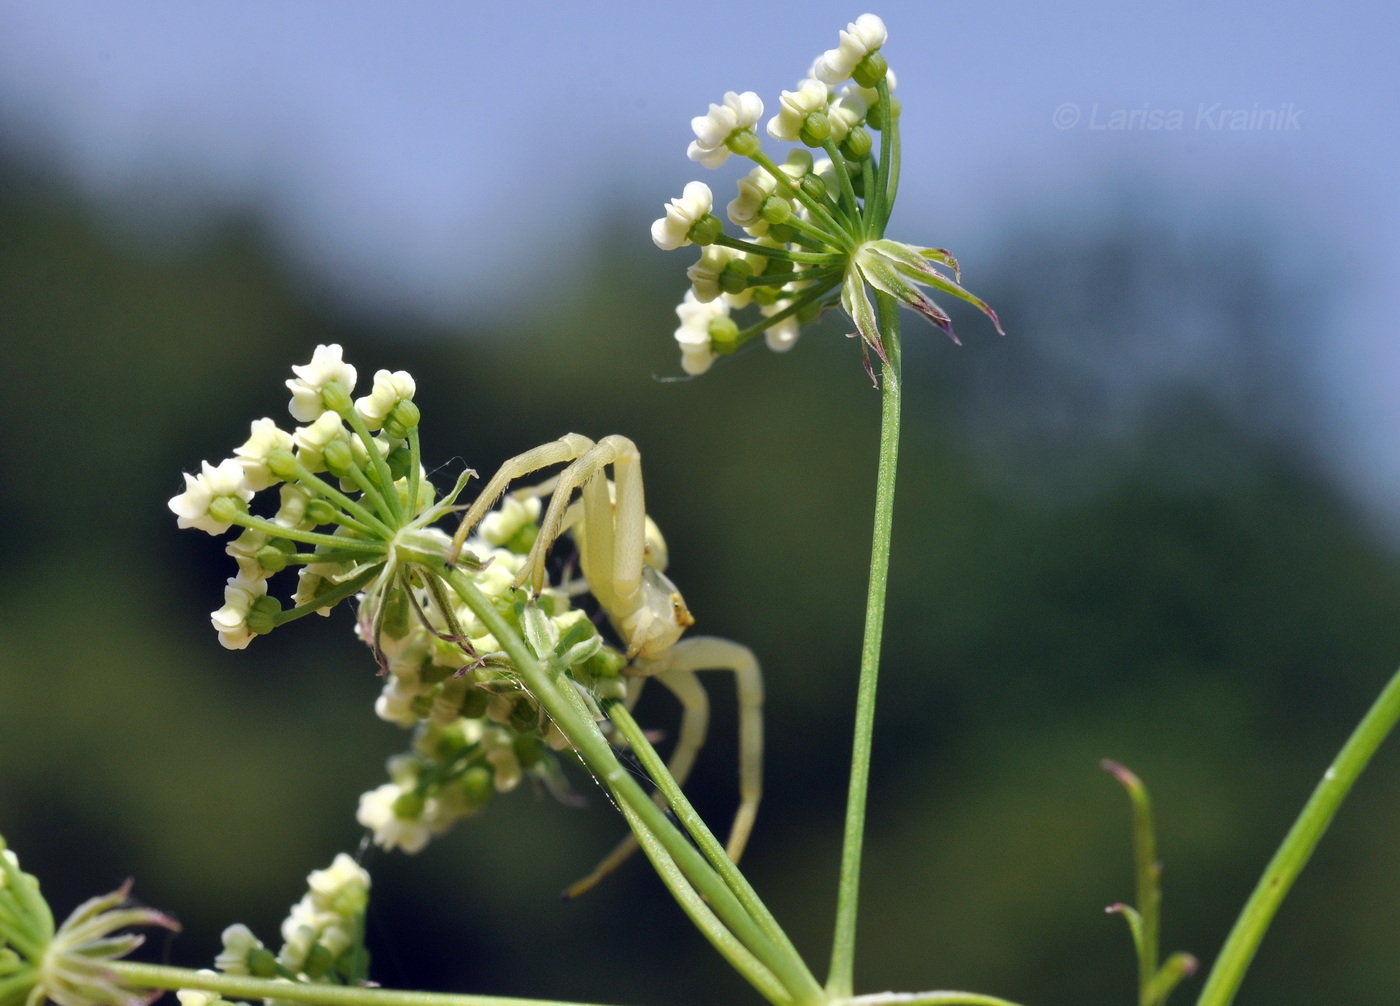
[(792, 212)]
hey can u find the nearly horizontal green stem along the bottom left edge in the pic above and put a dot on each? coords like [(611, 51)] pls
[(244, 987)]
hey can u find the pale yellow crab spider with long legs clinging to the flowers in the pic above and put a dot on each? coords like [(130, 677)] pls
[(622, 556)]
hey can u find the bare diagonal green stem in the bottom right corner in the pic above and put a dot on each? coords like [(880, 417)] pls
[(1298, 846)]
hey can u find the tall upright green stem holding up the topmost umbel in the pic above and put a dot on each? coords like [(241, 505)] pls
[(843, 948)]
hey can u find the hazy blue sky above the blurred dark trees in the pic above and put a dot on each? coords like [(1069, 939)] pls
[(418, 156)]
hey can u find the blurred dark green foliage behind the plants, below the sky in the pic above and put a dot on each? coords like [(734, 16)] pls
[(1189, 601)]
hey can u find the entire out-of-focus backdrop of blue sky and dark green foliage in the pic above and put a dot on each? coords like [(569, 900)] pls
[(1156, 523)]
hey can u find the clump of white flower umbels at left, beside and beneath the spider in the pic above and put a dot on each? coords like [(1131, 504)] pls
[(352, 517)]
